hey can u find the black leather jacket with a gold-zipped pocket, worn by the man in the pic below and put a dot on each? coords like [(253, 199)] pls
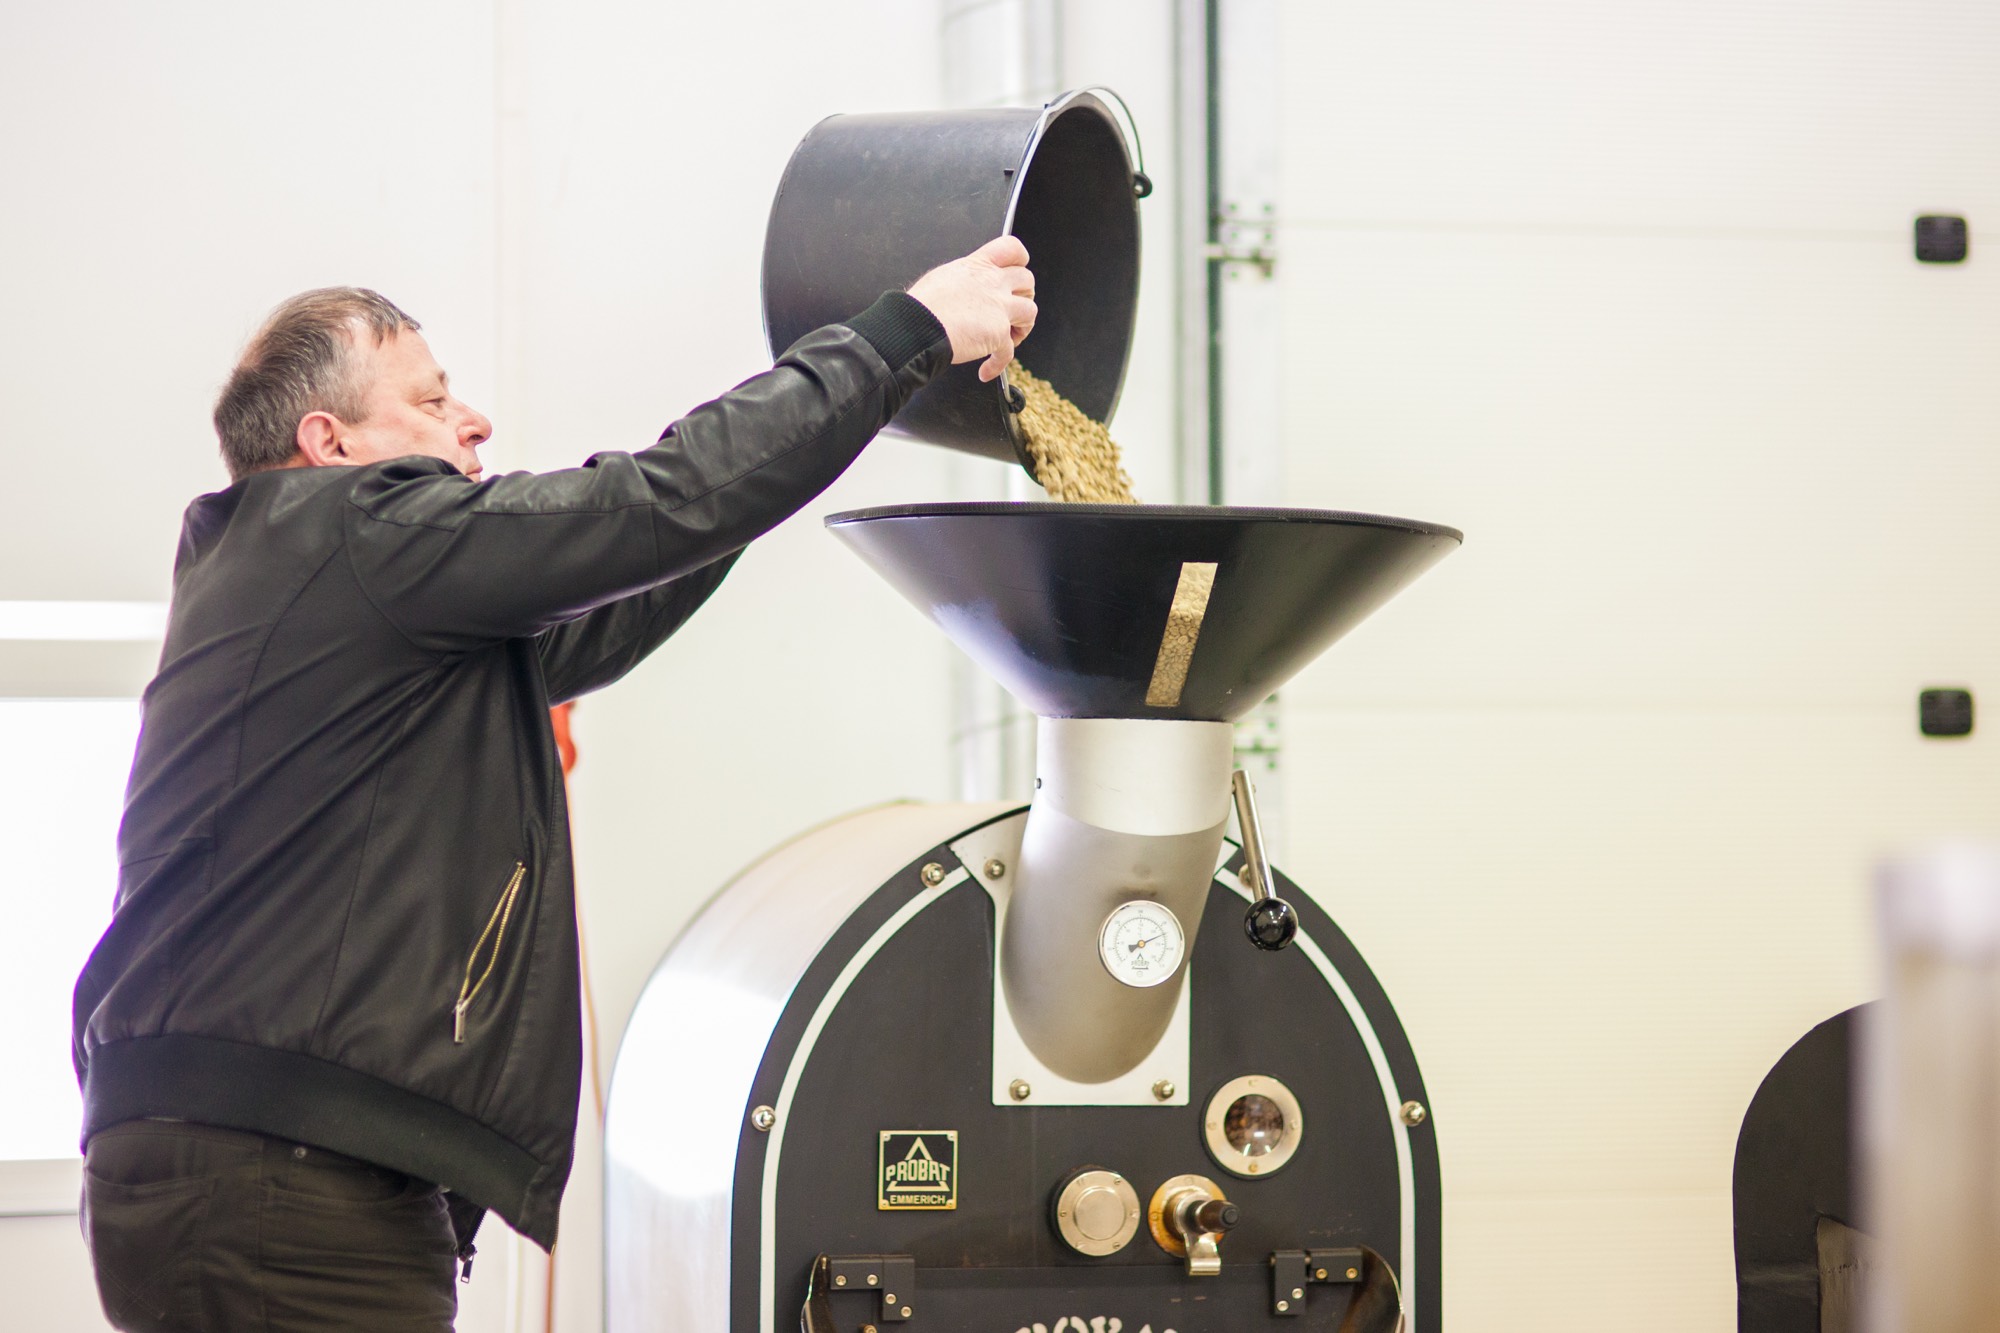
[(345, 908)]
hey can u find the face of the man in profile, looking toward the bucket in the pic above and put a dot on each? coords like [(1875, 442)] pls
[(411, 407)]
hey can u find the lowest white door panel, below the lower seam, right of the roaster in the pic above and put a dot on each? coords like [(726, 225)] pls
[(1601, 930)]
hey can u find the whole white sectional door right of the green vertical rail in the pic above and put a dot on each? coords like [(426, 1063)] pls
[(1627, 293)]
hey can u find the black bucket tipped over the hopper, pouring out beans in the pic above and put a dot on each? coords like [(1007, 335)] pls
[(871, 203)]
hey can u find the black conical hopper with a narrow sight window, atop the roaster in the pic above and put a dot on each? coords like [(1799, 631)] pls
[(1067, 605)]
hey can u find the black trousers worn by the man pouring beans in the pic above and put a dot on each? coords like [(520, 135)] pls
[(219, 1232)]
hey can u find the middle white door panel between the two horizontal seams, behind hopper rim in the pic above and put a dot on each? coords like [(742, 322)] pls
[(1723, 469)]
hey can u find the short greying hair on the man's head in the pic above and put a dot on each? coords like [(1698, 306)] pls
[(301, 361)]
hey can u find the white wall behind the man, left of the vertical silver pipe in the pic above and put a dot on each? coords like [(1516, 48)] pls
[(571, 199)]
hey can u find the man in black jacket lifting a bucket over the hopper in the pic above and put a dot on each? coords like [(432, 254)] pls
[(337, 1012)]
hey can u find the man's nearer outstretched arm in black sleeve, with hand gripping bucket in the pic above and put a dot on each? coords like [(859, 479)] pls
[(457, 565)]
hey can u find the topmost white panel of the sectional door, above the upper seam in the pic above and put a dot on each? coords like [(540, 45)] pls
[(1749, 115)]
